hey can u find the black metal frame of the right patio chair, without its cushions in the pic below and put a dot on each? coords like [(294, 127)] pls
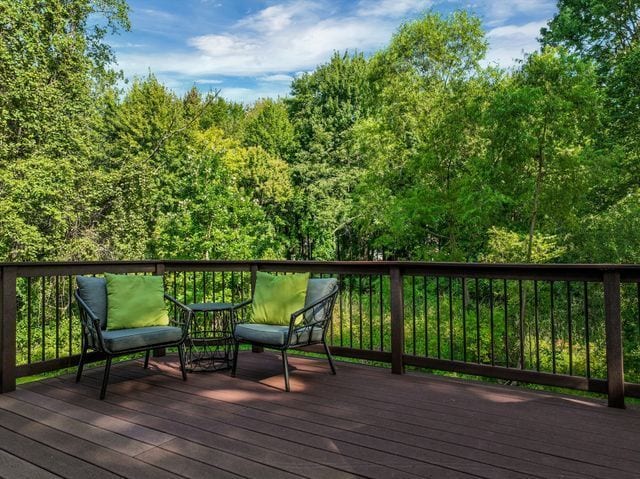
[(324, 304)]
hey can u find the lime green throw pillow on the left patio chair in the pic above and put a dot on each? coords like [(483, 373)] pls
[(135, 301)]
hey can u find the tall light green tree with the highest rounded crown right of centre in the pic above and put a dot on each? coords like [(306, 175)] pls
[(421, 137)]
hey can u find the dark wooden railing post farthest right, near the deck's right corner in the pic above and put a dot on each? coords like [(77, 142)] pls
[(615, 367)]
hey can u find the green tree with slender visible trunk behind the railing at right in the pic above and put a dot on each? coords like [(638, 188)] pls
[(543, 121)]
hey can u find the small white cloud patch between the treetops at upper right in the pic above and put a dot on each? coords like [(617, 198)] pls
[(510, 42)]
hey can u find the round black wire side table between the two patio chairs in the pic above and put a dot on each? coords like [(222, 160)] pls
[(209, 345)]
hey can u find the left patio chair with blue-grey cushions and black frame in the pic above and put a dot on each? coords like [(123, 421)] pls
[(91, 296)]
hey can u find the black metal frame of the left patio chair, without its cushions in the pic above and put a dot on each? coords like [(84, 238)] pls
[(92, 339)]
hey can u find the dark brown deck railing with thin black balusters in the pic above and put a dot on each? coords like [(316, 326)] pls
[(571, 326)]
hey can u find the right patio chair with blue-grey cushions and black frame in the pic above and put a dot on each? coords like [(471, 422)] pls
[(307, 326)]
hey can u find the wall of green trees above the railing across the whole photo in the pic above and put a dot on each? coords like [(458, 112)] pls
[(418, 152)]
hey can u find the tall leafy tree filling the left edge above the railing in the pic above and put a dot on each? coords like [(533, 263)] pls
[(53, 66)]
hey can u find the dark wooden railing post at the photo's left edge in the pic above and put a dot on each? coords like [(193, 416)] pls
[(8, 309)]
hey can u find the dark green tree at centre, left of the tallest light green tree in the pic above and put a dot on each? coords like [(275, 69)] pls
[(323, 107)]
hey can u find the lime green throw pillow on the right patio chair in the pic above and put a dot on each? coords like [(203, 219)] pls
[(276, 297)]
